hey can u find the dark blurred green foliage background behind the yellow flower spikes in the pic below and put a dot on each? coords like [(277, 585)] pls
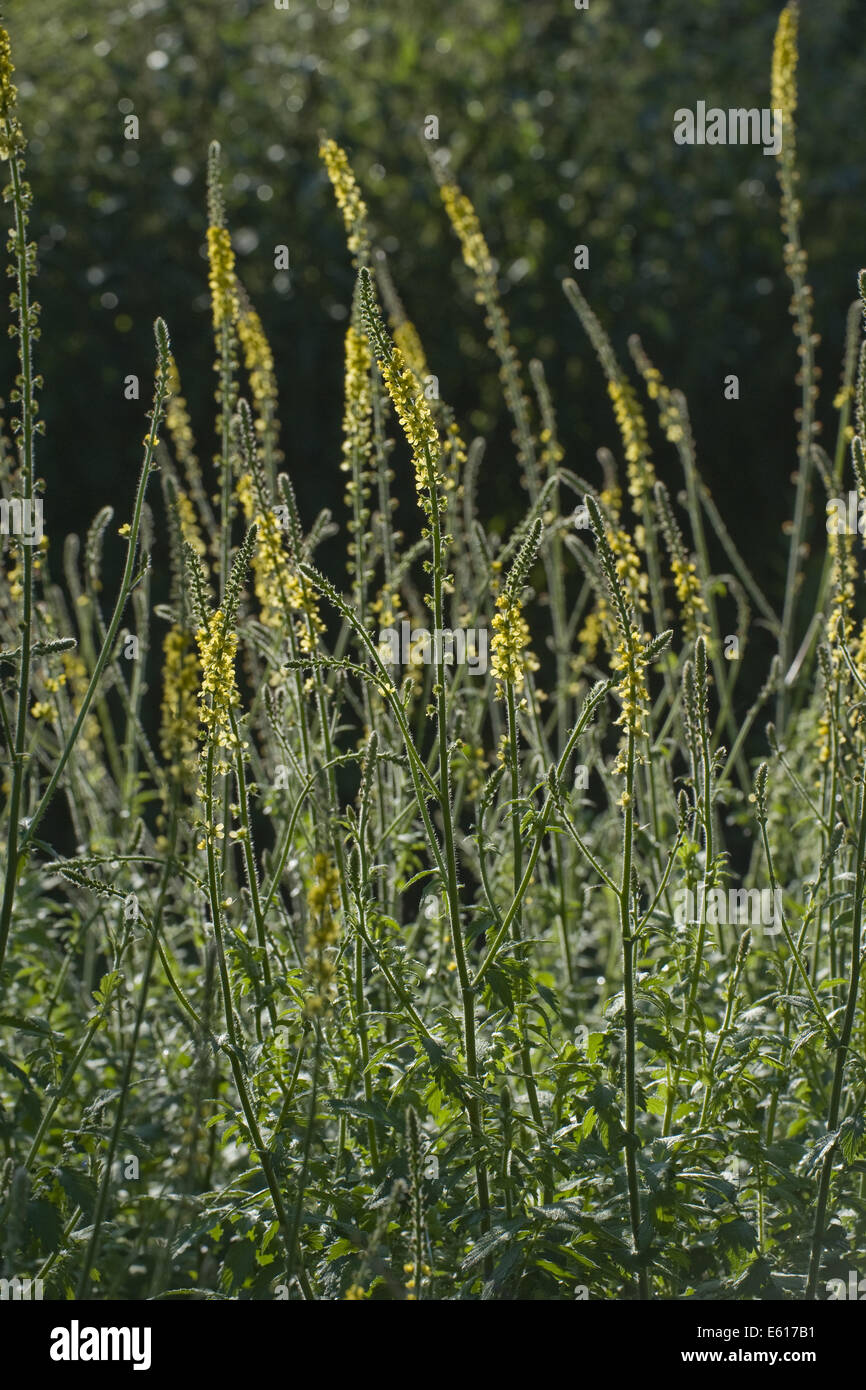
[(559, 123)]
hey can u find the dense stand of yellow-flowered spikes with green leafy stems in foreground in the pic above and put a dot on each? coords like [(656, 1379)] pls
[(389, 964)]
